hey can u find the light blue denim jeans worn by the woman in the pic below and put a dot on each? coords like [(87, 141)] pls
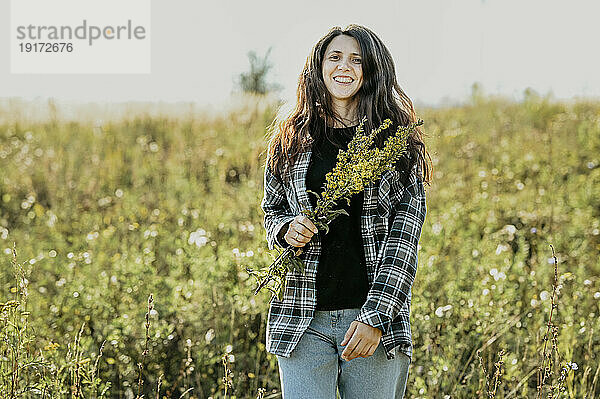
[(315, 368)]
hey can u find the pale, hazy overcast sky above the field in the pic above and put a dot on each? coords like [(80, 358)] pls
[(440, 47)]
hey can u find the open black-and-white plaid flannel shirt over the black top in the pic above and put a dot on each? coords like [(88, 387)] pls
[(391, 222)]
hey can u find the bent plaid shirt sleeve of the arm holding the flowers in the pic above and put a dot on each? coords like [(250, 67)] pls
[(275, 207)]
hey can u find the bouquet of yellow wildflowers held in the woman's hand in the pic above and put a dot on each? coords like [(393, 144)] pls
[(355, 168)]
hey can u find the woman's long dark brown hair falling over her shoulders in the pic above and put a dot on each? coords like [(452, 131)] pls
[(379, 97)]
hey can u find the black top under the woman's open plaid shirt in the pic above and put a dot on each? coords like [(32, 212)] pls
[(342, 280)]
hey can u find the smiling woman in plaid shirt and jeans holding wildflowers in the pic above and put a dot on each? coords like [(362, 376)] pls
[(344, 324)]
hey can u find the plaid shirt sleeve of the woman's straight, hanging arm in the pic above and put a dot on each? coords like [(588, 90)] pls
[(393, 281)]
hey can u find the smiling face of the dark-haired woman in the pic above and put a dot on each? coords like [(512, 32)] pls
[(342, 68)]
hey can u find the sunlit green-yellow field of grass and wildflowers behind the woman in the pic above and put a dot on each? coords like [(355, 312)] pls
[(109, 205)]
